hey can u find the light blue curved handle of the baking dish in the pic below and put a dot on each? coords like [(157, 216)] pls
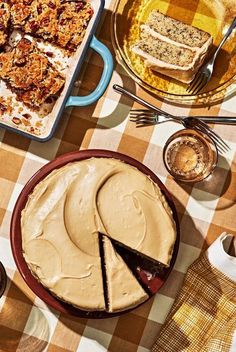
[(104, 52)]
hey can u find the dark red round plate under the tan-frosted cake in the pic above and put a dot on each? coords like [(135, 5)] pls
[(151, 275)]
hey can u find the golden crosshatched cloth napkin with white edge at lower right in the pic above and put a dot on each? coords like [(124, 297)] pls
[(203, 317)]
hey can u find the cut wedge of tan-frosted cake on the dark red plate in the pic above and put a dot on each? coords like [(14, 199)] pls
[(124, 290)]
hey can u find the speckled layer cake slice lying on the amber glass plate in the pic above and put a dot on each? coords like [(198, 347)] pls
[(171, 47)]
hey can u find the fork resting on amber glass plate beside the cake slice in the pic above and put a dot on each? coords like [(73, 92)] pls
[(205, 72)]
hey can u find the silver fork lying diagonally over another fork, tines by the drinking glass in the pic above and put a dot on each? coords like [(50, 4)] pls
[(188, 122)]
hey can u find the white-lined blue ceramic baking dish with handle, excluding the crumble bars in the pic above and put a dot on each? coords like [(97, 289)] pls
[(50, 113)]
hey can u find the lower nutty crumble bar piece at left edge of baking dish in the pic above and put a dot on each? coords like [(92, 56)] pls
[(29, 74)]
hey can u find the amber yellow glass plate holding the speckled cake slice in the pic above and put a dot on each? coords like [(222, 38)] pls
[(213, 16)]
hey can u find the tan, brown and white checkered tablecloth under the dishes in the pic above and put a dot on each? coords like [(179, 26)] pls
[(205, 210)]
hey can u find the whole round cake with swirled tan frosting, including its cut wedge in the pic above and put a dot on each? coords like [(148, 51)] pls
[(64, 216)]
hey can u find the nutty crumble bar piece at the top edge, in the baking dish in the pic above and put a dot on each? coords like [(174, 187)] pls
[(63, 23)]
